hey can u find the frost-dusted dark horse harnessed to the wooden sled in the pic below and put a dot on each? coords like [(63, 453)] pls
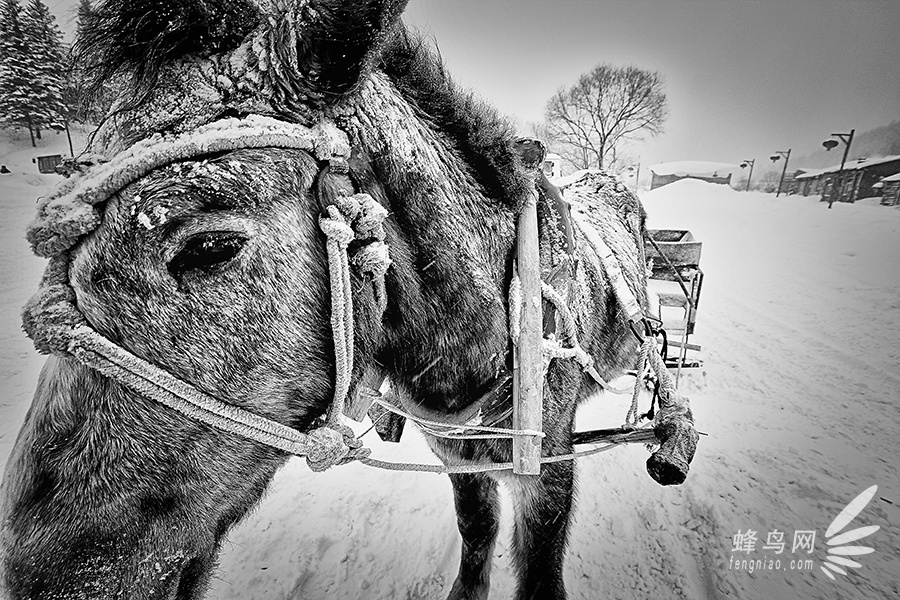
[(211, 265)]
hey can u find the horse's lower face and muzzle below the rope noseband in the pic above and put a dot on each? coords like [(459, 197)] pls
[(100, 479)]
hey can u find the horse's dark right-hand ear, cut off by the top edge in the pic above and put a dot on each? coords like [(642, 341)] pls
[(340, 42)]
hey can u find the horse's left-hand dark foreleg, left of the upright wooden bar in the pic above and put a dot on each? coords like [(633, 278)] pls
[(477, 516)]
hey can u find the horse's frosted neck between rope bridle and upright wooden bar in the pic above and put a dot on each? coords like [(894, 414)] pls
[(446, 326)]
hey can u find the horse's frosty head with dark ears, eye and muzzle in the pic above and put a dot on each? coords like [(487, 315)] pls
[(210, 265)]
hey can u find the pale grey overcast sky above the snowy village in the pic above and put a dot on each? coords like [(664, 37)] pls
[(743, 78)]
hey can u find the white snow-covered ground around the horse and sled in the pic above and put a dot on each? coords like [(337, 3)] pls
[(799, 395)]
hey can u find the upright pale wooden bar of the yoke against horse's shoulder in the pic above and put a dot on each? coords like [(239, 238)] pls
[(528, 372)]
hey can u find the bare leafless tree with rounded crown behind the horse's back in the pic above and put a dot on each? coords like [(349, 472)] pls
[(589, 122)]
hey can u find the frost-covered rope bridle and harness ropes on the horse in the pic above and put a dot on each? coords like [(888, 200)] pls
[(56, 325)]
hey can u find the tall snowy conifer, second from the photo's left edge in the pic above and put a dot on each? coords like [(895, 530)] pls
[(46, 61)]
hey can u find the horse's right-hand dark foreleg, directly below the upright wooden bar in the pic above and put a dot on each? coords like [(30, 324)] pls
[(543, 504)]
